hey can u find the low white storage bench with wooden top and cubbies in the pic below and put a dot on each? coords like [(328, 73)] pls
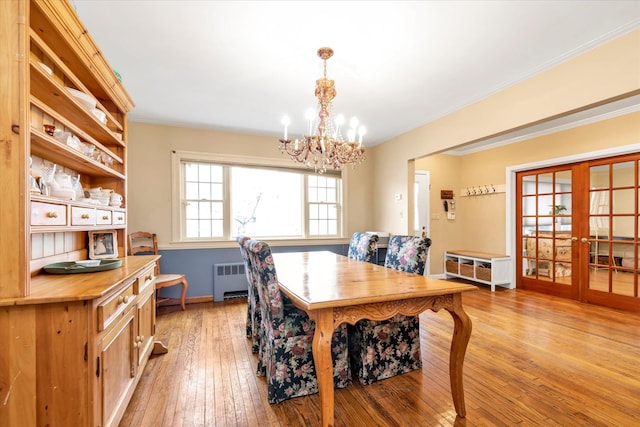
[(481, 267)]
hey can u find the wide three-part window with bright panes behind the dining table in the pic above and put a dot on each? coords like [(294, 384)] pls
[(218, 197)]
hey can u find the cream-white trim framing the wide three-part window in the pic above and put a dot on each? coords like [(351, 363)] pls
[(177, 225)]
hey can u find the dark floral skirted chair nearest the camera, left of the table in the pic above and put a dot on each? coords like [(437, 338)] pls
[(286, 357)]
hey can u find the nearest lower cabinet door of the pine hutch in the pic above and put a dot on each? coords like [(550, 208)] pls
[(118, 370)]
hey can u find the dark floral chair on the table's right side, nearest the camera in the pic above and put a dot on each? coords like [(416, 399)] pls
[(382, 349)]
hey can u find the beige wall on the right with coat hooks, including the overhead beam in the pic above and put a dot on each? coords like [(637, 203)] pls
[(607, 72)]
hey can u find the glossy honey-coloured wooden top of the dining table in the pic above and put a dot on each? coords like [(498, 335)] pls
[(323, 279)]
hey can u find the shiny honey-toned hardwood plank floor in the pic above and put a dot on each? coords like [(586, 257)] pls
[(532, 360)]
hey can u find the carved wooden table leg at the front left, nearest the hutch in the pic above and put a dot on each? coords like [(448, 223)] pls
[(324, 366)]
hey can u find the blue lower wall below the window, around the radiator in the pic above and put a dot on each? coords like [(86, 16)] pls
[(197, 265)]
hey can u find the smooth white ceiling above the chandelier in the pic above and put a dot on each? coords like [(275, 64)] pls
[(242, 65)]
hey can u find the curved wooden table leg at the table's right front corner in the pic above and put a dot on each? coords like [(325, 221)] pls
[(461, 333)]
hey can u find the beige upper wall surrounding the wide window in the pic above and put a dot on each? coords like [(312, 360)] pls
[(149, 174)]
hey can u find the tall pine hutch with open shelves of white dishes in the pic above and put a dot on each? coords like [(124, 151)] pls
[(72, 346)]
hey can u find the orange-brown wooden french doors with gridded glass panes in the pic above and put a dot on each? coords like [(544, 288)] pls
[(578, 232)]
